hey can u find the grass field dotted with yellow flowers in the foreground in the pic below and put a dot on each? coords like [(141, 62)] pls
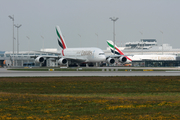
[(90, 98)]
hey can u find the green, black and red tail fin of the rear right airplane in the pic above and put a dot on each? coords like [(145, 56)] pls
[(117, 51)]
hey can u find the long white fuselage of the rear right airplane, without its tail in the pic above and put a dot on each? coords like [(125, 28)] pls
[(151, 57)]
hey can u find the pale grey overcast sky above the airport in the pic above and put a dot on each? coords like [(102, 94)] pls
[(86, 22)]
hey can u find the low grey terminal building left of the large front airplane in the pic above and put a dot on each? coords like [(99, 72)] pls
[(25, 58)]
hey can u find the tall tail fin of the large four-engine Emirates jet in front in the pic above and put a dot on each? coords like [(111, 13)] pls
[(61, 41)]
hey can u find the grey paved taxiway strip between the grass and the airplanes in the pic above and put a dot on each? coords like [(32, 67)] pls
[(11, 73)]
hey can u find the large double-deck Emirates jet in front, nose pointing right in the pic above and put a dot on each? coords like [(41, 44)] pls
[(72, 56)]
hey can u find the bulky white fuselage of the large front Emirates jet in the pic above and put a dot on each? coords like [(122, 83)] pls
[(87, 54)]
